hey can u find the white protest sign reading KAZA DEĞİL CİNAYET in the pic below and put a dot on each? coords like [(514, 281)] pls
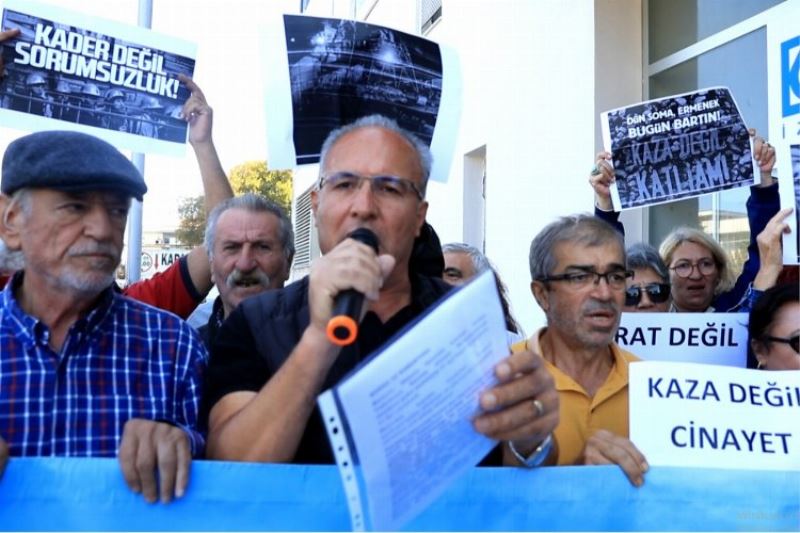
[(714, 416)]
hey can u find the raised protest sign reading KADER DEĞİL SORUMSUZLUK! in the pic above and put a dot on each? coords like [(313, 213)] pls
[(69, 71)]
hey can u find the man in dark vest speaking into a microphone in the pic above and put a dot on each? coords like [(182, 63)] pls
[(272, 356)]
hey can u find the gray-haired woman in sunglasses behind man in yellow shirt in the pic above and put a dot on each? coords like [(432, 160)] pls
[(649, 289)]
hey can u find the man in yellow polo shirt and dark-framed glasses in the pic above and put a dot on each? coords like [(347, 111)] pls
[(578, 270)]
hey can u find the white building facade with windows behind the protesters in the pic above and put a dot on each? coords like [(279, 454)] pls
[(536, 75)]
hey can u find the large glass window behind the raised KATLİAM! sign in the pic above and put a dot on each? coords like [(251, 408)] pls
[(740, 65)]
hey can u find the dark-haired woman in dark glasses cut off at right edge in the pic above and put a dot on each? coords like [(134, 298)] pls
[(774, 328)]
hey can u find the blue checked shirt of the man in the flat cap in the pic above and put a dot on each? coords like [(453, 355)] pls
[(122, 360)]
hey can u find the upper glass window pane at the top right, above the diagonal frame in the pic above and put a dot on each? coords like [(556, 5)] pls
[(676, 24)]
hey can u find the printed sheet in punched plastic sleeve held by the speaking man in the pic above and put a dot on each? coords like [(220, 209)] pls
[(407, 414)]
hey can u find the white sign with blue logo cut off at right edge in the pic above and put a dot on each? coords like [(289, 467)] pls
[(783, 87)]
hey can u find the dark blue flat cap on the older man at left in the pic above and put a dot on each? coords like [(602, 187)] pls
[(69, 161)]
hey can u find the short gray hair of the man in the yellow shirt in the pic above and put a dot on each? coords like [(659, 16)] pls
[(582, 228)]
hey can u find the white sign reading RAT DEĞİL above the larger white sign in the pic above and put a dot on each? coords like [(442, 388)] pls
[(718, 338)]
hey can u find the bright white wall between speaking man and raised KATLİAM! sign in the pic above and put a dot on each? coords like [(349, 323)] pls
[(528, 72)]
